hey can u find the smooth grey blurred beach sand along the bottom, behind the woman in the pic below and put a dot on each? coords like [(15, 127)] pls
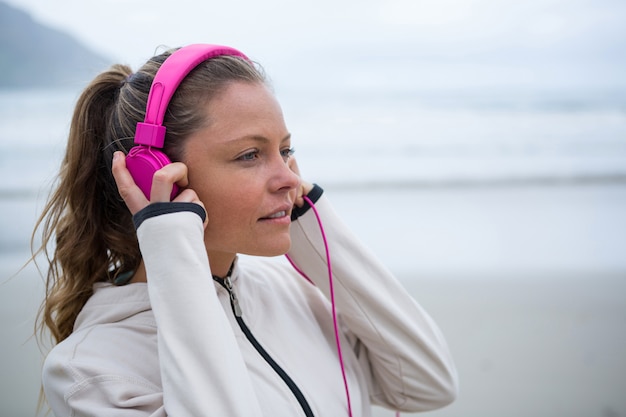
[(538, 346)]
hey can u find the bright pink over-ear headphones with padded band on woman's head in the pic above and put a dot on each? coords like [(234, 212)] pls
[(145, 159)]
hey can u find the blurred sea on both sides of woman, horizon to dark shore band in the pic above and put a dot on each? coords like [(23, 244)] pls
[(355, 140)]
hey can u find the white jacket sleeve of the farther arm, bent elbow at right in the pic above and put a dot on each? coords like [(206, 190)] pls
[(410, 366)]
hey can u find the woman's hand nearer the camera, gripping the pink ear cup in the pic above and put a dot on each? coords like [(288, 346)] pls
[(162, 184)]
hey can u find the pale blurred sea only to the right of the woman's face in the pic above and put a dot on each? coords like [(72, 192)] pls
[(424, 139)]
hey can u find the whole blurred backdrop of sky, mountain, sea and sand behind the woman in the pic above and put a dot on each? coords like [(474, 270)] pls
[(478, 146)]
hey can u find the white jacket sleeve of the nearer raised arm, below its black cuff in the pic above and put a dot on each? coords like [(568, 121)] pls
[(202, 370)]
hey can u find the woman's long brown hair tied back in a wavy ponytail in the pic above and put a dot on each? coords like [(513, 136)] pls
[(87, 234)]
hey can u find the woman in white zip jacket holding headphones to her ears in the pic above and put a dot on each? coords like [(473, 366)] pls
[(154, 312)]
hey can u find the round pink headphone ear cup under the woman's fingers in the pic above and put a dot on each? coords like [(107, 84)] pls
[(142, 162)]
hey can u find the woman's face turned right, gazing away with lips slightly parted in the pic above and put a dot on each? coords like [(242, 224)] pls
[(238, 167)]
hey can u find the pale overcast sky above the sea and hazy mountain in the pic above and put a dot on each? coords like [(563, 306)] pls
[(357, 43)]
